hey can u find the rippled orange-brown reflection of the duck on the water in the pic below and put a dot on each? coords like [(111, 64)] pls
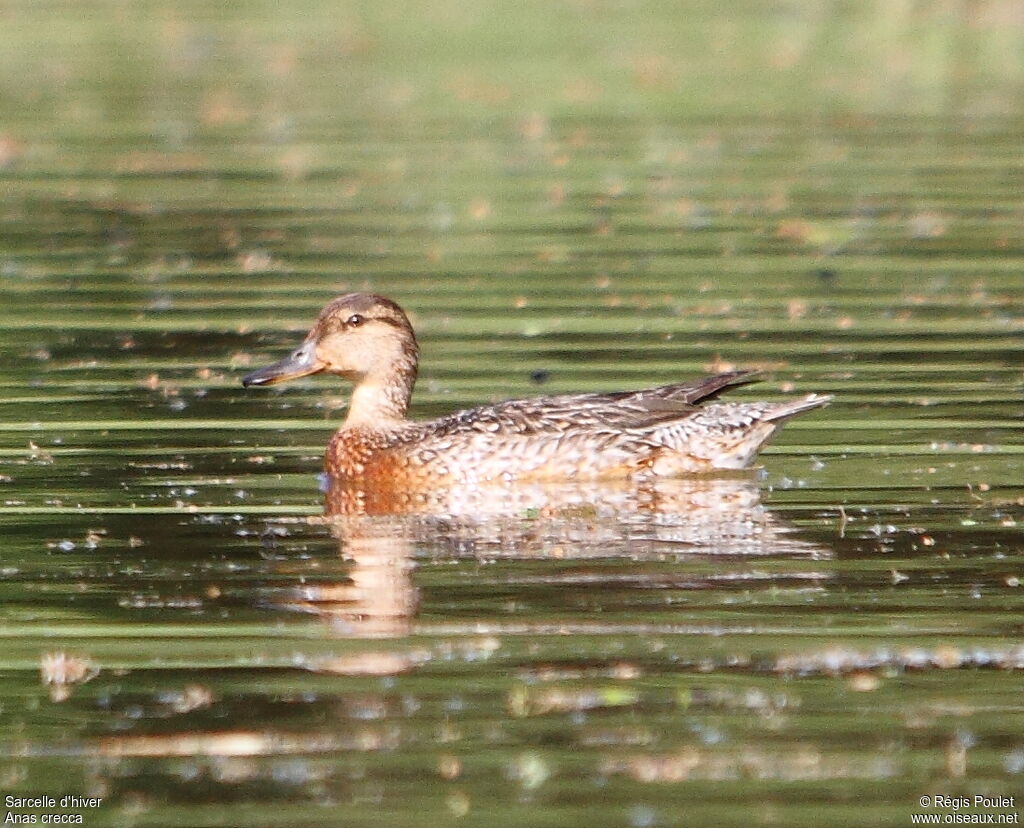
[(381, 534)]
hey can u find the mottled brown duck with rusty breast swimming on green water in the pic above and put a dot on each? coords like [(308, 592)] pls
[(665, 431)]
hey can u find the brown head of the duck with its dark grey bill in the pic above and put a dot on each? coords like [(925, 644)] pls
[(363, 337)]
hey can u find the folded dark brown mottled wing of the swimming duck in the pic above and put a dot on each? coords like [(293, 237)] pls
[(599, 413)]
